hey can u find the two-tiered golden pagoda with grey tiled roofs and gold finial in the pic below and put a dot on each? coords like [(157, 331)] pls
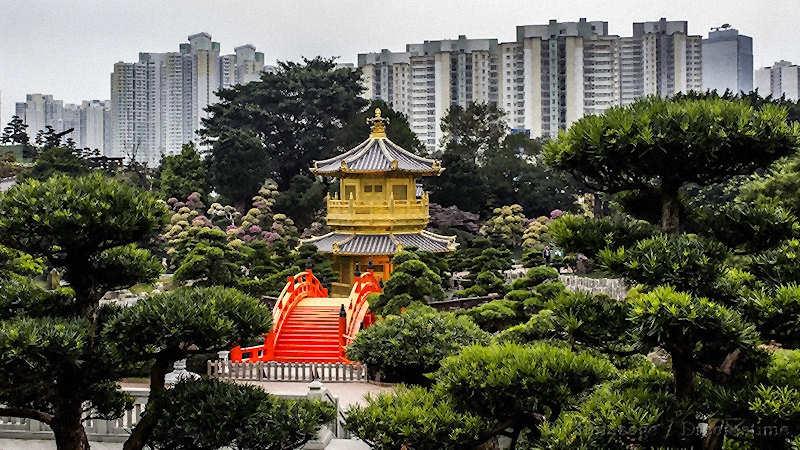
[(378, 210)]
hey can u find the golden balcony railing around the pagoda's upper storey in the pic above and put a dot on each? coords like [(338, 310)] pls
[(354, 213)]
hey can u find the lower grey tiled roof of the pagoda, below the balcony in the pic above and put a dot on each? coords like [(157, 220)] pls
[(381, 244)]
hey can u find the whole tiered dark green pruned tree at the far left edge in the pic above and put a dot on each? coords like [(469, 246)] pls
[(56, 361)]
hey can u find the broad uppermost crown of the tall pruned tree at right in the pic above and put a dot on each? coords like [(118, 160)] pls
[(644, 146)]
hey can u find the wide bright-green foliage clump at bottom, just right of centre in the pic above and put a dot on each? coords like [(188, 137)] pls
[(520, 387)]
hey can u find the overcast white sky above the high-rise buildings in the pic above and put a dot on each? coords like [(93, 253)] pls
[(67, 47)]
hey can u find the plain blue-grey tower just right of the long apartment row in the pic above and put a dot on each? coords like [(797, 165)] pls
[(727, 60)]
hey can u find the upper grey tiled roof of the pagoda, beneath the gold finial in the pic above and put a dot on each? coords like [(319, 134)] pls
[(377, 155)]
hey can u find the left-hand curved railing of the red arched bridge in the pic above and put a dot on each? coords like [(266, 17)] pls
[(299, 287)]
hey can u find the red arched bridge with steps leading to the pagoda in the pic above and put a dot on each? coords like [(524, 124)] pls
[(309, 326)]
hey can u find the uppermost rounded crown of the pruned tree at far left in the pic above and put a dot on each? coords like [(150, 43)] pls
[(70, 222)]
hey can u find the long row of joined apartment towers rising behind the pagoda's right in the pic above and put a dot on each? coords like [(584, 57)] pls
[(552, 75)]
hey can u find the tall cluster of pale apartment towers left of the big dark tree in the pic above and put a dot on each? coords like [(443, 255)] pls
[(158, 104)]
